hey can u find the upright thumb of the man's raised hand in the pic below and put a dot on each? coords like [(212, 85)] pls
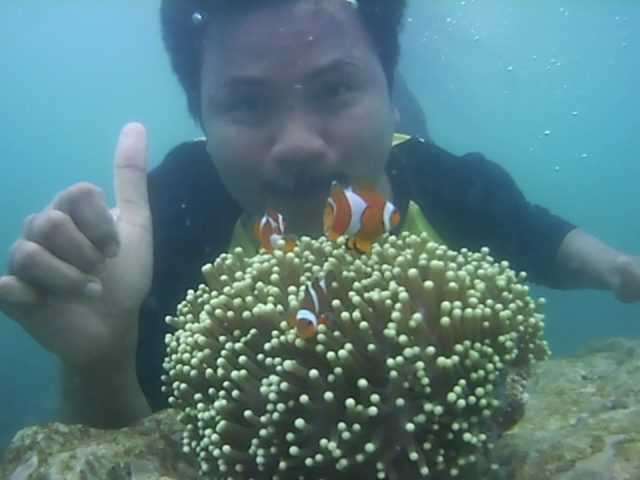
[(130, 175)]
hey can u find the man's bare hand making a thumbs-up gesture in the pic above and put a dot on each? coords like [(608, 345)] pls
[(79, 272)]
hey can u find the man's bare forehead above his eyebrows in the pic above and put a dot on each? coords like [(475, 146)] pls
[(304, 36)]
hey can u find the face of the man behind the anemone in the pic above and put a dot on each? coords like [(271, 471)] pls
[(293, 97)]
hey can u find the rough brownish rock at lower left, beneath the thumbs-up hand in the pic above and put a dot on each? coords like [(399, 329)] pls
[(150, 450)]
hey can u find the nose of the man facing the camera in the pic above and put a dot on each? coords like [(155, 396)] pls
[(298, 141)]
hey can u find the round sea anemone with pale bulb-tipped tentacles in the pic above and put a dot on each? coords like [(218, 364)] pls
[(416, 374)]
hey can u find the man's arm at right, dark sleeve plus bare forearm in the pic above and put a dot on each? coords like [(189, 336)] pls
[(472, 202)]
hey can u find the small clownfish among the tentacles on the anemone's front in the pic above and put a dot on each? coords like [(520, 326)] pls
[(313, 309)]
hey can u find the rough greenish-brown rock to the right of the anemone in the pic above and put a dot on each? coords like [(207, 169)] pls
[(582, 420)]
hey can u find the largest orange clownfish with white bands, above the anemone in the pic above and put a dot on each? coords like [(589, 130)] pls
[(361, 213)]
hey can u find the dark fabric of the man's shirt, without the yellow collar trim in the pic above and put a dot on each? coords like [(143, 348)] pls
[(470, 201)]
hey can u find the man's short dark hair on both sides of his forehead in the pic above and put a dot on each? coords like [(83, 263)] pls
[(184, 26)]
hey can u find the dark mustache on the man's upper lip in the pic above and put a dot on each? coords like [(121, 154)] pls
[(294, 183)]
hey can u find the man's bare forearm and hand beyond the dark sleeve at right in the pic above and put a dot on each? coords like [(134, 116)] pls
[(583, 261)]
